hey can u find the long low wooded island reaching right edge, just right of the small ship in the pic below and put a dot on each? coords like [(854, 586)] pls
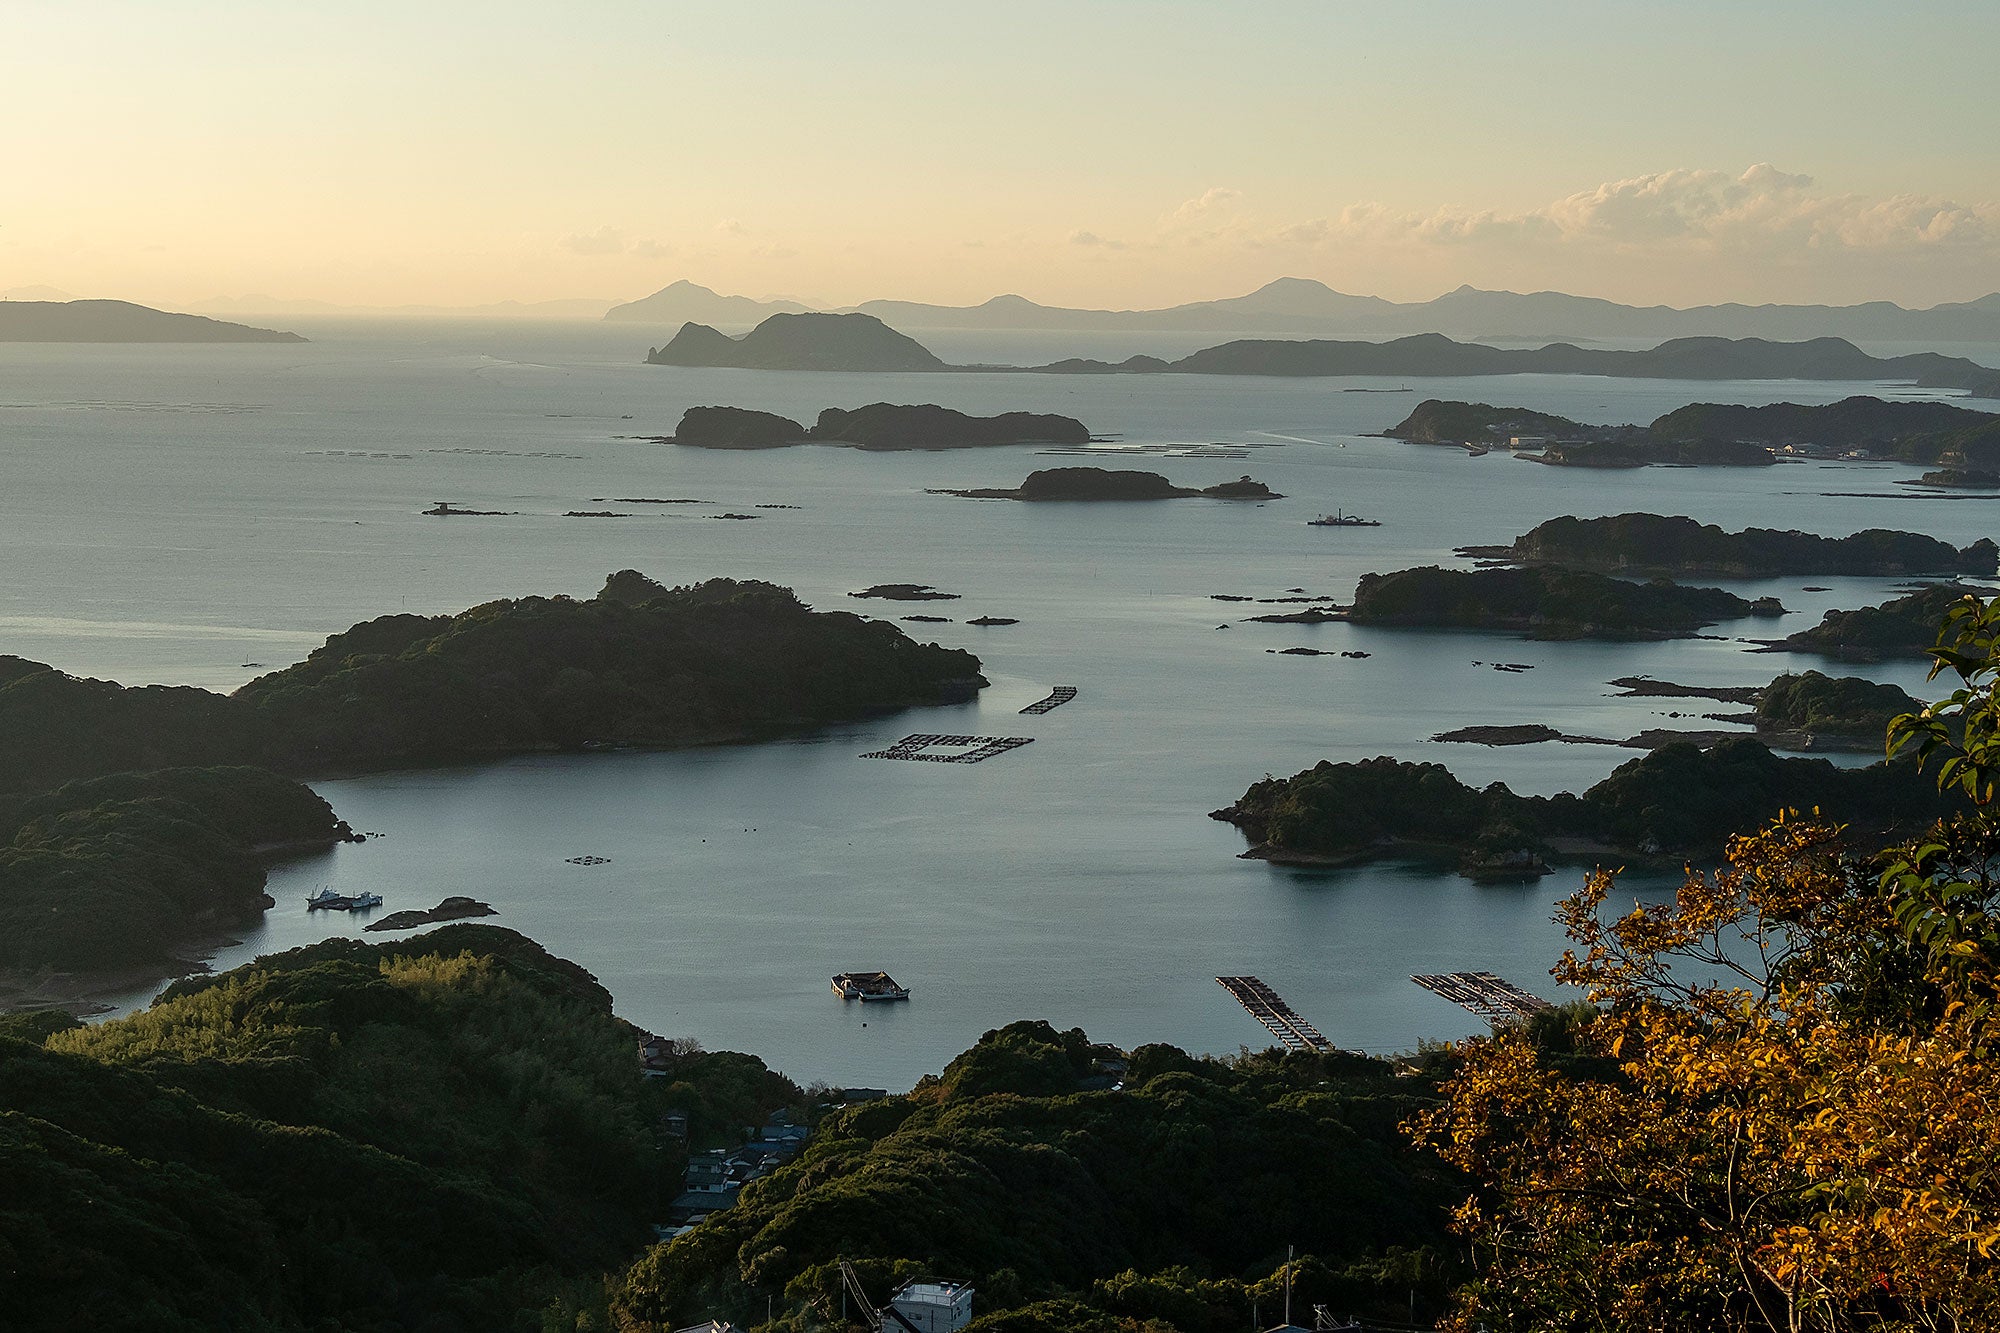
[(1679, 545)]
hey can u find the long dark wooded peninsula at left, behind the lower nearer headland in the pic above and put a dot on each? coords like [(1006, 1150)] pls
[(635, 665)]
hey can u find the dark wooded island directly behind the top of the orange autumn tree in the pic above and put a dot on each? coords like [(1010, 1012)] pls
[(1679, 800)]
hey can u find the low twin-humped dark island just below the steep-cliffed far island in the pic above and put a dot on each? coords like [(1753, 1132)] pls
[(875, 427)]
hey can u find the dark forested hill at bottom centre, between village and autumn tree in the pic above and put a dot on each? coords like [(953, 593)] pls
[(1169, 1200)]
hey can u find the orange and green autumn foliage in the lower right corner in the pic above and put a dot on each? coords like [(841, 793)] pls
[(1783, 1108)]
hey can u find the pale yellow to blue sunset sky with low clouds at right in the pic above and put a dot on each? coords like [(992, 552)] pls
[(1083, 153)]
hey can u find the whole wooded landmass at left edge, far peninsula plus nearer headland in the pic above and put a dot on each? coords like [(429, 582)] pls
[(133, 820)]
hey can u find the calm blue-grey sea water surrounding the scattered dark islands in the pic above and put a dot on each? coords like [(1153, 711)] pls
[(209, 513)]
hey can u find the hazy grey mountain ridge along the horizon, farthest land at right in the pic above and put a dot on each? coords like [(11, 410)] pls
[(1305, 305)]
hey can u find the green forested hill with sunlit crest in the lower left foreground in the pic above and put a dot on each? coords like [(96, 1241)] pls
[(439, 1134)]
